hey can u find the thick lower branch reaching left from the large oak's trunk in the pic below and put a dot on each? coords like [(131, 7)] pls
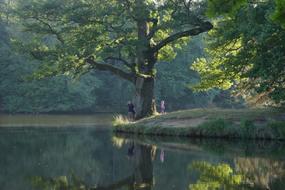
[(106, 67)]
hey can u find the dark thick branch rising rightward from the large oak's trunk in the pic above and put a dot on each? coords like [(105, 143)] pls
[(204, 27)]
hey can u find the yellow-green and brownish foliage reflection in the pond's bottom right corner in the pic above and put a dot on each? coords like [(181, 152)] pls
[(249, 173)]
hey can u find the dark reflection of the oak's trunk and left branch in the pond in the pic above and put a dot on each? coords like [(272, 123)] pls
[(140, 179)]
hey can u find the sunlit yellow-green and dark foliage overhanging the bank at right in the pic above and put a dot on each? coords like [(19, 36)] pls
[(245, 51)]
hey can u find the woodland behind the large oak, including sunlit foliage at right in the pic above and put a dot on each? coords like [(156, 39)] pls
[(240, 63)]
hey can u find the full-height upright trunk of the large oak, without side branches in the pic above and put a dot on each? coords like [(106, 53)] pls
[(145, 60)]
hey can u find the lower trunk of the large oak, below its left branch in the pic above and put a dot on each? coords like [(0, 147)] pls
[(143, 97)]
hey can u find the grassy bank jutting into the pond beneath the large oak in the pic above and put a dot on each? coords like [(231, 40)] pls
[(218, 123)]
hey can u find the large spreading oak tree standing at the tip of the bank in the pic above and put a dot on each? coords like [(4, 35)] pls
[(124, 37)]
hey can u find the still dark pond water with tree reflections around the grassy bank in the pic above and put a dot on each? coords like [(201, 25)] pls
[(81, 152)]
